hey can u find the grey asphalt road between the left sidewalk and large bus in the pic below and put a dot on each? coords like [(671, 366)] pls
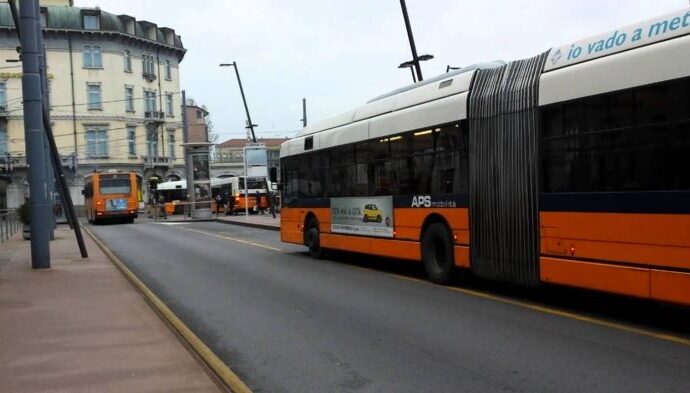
[(286, 323)]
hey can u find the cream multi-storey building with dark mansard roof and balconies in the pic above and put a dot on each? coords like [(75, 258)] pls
[(114, 93)]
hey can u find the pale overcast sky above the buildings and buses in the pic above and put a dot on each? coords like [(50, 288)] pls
[(340, 53)]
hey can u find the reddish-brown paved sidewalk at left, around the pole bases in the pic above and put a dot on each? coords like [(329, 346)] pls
[(81, 327)]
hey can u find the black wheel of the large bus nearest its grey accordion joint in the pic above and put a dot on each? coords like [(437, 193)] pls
[(438, 254)]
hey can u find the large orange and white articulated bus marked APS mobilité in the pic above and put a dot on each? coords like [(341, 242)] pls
[(570, 168)]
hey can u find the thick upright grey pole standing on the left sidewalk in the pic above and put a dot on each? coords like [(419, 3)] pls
[(34, 135)]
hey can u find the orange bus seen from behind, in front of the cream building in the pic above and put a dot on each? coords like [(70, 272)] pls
[(110, 196)]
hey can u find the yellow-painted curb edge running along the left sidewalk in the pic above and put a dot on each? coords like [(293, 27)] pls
[(219, 368)]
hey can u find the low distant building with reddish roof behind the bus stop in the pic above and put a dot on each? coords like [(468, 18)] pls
[(228, 157)]
